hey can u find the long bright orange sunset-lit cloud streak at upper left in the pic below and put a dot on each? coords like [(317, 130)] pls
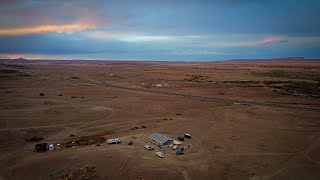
[(65, 28)]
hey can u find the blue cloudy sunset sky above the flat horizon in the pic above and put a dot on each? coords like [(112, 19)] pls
[(176, 30)]
